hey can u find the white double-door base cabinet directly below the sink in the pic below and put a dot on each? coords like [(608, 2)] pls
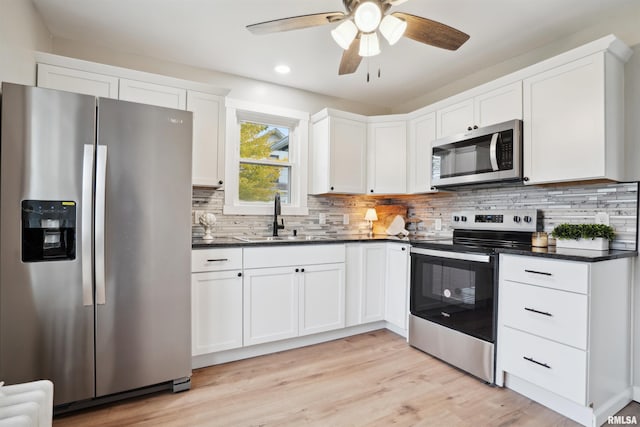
[(292, 291)]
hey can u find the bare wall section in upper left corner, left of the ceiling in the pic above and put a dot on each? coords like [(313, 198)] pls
[(21, 33)]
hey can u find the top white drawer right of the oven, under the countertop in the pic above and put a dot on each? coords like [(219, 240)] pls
[(564, 275)]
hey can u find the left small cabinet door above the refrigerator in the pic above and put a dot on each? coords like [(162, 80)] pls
[(84, 82)]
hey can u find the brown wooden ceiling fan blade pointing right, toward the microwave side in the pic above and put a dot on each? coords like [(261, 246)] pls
[(432, 32)]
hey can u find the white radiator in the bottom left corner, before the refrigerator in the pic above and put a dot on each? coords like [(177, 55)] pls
[(26, 405)]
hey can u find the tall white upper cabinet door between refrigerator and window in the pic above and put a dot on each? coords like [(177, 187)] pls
[(208, 138)]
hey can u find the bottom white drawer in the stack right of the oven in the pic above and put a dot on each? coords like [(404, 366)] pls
[(552, 366)]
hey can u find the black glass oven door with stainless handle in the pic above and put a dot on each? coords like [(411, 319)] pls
[(454, 289)]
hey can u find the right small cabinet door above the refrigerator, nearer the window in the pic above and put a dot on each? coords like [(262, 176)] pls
[(153, 94)]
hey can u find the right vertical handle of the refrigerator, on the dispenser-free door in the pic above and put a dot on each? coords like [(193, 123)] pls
[(101, 178)]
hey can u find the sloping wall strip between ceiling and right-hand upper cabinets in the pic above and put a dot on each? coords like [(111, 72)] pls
[(624, 23)]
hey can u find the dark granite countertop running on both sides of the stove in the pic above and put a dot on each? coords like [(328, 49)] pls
[(441, 242)]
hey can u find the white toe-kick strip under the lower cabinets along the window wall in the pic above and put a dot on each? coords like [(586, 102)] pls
[(276, 346)]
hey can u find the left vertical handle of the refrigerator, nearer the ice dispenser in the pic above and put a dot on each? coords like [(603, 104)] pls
[(87, 204)]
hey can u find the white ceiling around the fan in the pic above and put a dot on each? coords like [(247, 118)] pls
[(211, 34)]
